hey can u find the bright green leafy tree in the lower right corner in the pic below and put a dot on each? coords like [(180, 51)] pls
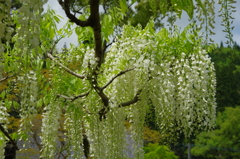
[(222, 142)]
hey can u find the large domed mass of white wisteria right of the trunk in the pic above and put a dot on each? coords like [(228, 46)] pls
[(178, 80)]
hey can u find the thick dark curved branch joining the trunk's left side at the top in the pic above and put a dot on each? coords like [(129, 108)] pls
[(73, 18)]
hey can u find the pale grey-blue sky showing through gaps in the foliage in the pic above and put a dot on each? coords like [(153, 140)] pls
[(218, 37)]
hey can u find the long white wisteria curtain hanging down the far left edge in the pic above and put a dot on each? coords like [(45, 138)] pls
[(22, 28)]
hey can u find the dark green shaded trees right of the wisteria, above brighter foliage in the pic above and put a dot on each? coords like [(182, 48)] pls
[(226, 62)]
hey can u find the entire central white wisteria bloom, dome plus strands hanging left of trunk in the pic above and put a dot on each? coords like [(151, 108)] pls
[(178, 80)]
